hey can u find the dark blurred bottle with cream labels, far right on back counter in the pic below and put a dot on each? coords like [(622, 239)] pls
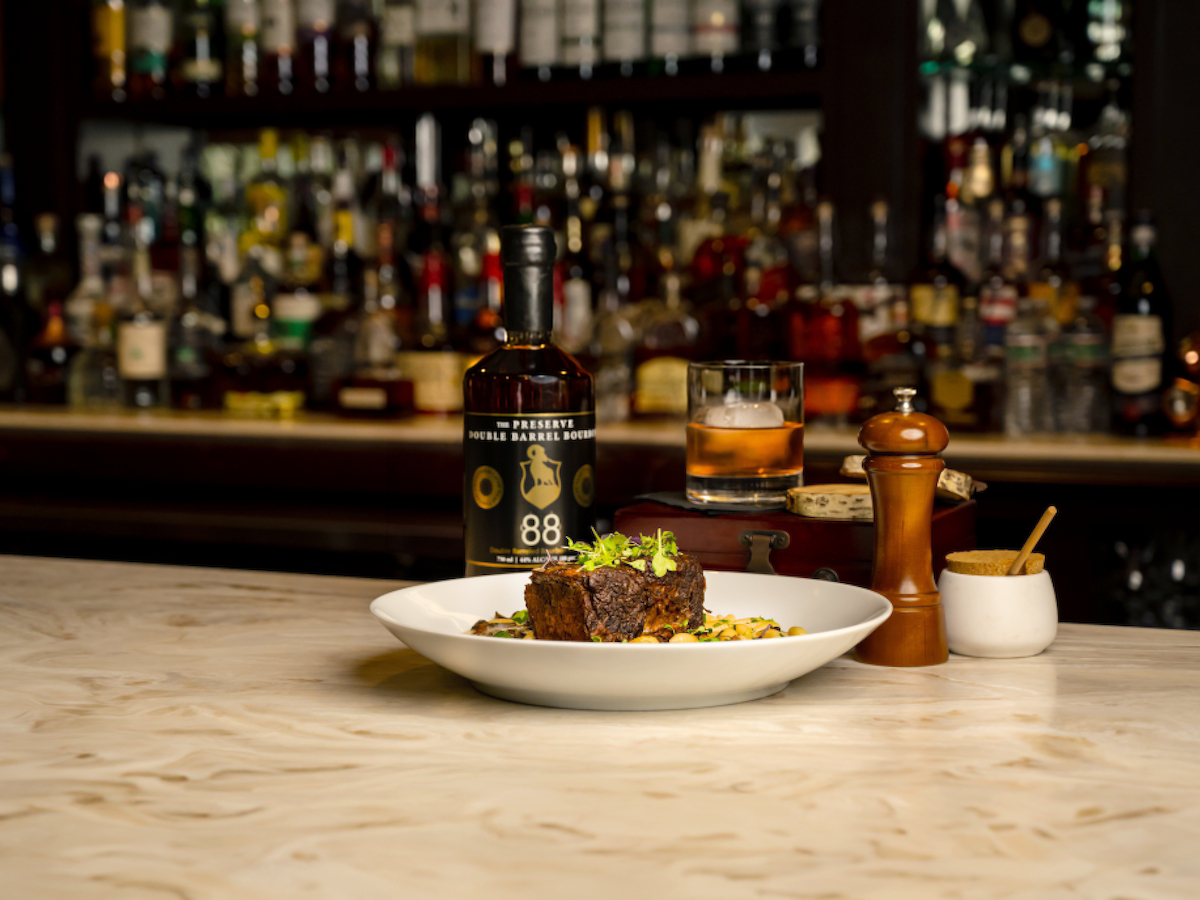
[(1141, 332)]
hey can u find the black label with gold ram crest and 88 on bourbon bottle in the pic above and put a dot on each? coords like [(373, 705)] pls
[(530, 485)]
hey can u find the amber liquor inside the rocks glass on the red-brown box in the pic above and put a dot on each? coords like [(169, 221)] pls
[(753, 466)]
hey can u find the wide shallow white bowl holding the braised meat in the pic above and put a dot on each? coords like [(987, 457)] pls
[(433, 619)]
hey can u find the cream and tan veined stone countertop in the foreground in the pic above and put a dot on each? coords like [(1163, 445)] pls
[(171, 733)]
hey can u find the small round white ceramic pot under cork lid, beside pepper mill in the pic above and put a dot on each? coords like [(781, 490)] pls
[(999, 617)]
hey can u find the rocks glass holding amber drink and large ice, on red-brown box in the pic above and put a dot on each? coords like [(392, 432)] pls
[(746, 433)]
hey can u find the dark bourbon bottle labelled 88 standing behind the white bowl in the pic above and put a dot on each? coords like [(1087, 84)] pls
[(529, 428)]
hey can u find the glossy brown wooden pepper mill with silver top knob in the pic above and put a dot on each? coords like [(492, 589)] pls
[(903, 467)]
